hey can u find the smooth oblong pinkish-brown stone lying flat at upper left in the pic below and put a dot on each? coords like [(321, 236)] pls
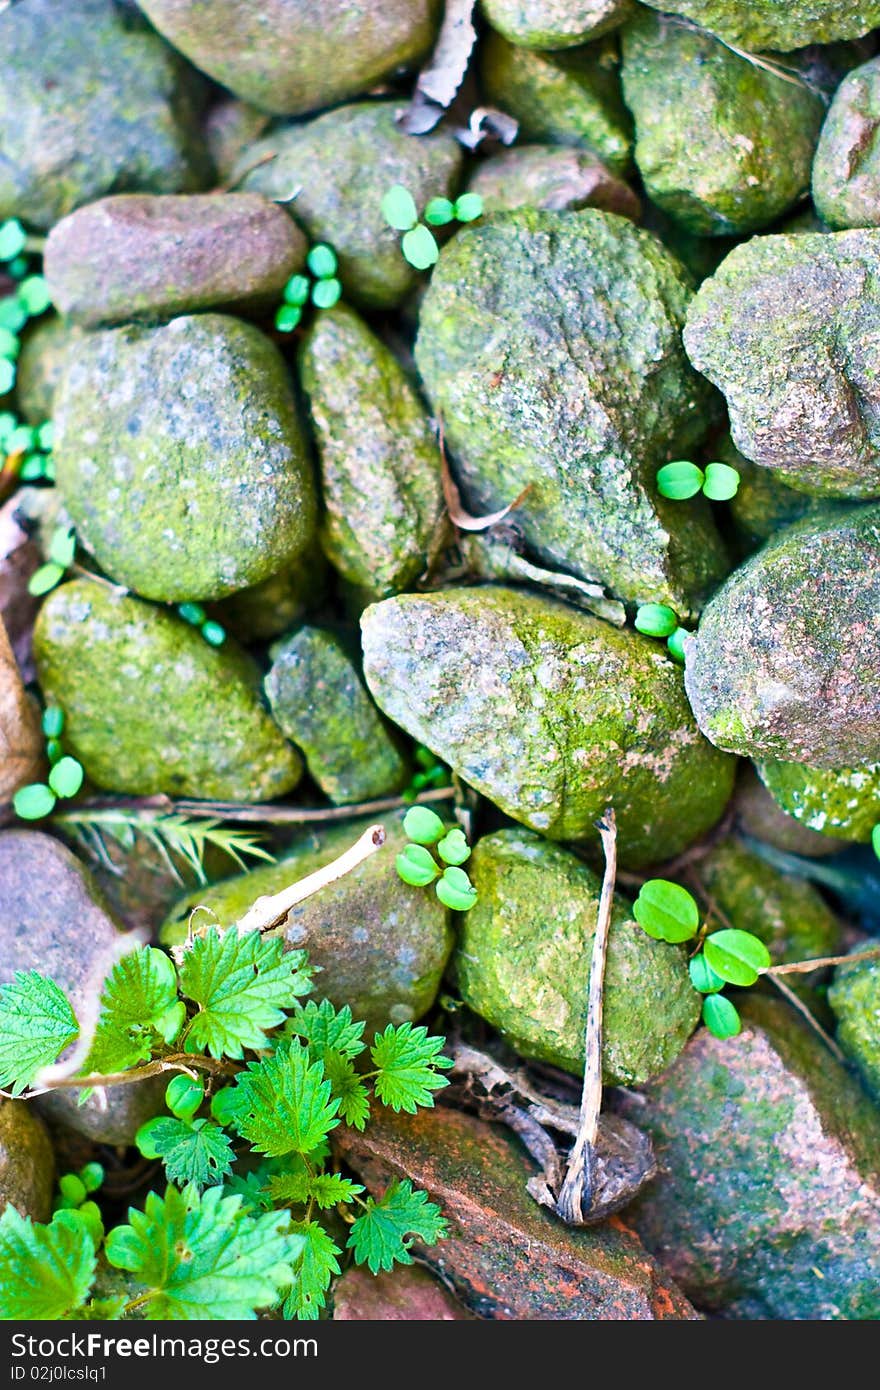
[(144, 258)]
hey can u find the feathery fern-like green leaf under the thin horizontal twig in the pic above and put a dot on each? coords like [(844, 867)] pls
[(172, 836)]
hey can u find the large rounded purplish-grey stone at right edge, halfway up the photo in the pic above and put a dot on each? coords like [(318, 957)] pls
[(786, 662)]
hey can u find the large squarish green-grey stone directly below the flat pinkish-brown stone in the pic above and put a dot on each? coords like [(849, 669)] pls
[(181, 457)]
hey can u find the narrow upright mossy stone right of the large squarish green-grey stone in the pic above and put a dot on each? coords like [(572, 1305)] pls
[(379, 457)]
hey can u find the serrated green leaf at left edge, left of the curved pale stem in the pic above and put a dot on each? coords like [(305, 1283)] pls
[(37, 1024)]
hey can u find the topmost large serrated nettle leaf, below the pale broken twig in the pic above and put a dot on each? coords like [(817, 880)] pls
[(243, 986)]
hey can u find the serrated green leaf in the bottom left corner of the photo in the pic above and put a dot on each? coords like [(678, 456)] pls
[(47, 1273)]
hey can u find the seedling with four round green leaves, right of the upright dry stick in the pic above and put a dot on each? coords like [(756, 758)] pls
[(668, 913)]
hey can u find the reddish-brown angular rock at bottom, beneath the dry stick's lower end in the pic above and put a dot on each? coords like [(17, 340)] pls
[(507, 1257)]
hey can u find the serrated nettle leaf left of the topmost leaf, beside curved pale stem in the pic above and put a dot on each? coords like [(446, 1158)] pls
[(140, 1008)]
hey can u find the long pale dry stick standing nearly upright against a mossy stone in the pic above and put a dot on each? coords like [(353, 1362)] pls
[(578, 1182)]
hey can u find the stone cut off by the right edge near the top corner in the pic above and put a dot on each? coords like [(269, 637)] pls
[(847, 165)]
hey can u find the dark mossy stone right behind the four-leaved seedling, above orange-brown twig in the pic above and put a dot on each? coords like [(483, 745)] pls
[(788, 914)]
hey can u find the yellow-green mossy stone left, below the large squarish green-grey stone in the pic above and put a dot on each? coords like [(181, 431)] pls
[(151, 707)]
